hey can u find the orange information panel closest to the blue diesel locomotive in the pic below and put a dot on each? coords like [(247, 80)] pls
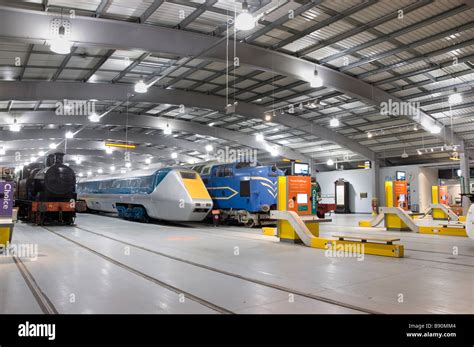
[(299, 194)]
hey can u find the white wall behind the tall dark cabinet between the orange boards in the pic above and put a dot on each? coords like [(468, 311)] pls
[(360, 181)]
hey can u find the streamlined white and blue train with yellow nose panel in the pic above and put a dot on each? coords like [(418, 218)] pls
[(170, 194)]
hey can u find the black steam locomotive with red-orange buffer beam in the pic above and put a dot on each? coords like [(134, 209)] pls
[(46, 192)]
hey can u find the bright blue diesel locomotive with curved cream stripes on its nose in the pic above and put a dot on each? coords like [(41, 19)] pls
[(242, 191)]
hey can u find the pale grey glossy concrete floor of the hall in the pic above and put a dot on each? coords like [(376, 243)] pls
[(194, 268)]
